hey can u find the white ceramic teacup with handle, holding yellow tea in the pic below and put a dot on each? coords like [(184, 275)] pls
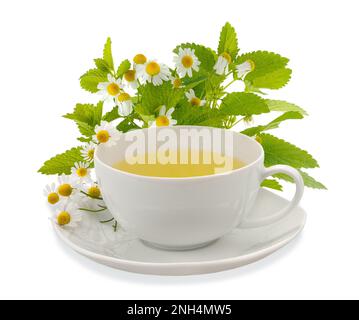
[(186, 213)]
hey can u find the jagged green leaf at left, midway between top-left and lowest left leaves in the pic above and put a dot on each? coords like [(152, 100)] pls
[(87, 113)]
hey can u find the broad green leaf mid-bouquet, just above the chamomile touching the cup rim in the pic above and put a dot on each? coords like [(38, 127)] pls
[(156, 96)]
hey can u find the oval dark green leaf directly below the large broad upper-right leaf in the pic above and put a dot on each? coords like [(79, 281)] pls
[(244, 104)]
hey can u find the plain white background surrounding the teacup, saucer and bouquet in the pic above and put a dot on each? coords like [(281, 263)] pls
[(47, 45)]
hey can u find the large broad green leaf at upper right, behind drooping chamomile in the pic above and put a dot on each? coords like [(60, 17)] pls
[(270, 69)]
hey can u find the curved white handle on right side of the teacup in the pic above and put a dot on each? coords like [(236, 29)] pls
[(283, 212)]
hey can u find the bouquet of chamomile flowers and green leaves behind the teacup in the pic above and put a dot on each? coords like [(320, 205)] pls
[(142, 92)]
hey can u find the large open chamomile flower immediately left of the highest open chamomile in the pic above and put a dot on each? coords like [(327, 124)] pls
[(153, 72)]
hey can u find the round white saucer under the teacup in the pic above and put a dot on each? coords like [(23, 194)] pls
[(122, 251)]
